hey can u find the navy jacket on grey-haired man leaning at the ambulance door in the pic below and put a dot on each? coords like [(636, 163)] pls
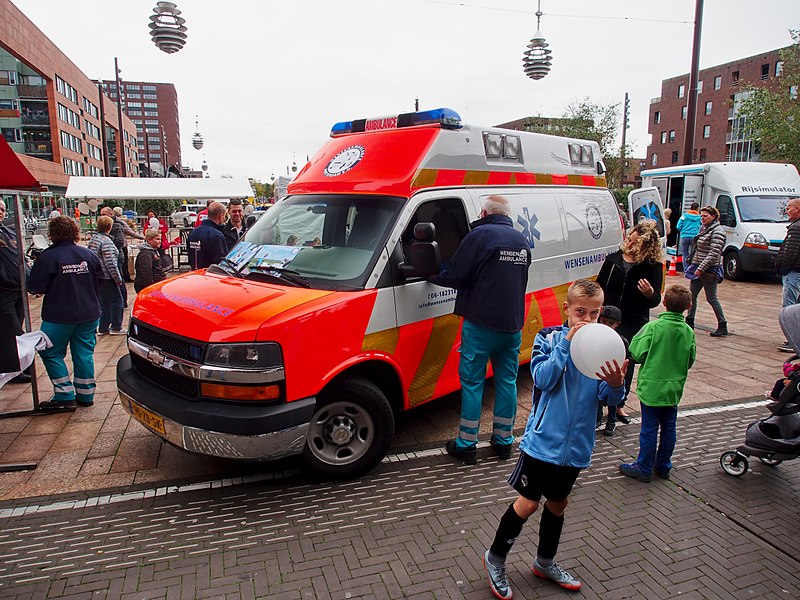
[(490, 272)]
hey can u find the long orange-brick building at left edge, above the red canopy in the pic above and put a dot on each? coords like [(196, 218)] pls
[(52, 114)]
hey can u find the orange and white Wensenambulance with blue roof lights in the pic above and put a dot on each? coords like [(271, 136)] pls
[(320, 327)]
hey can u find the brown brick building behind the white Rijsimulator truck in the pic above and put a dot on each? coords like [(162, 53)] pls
[(720, 133)]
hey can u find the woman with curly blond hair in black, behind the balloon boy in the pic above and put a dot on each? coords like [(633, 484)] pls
[(631, 279)]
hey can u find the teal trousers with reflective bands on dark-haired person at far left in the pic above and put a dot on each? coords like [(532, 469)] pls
[(81, 340)]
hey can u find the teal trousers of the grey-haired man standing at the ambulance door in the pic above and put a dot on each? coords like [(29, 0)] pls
[(479, 346)]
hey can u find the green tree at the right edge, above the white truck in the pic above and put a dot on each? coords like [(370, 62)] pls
[(774, 114)]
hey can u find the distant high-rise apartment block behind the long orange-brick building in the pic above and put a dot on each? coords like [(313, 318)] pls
[(153, 108)]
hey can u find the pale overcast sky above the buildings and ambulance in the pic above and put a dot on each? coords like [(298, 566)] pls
[(267, 79)]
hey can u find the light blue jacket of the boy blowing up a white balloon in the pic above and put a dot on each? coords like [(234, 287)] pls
[(561, 427)]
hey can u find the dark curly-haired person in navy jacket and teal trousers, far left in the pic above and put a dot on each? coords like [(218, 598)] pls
[(69, 276)]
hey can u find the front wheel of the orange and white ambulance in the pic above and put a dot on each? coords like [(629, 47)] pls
[(350, 431)]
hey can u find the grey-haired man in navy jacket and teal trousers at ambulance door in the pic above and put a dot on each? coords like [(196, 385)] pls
[(489, 270)]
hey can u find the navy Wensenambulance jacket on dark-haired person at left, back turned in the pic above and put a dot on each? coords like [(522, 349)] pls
[(69, 277)]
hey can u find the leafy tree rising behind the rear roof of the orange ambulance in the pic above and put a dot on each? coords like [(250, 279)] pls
[(588, 121)]
